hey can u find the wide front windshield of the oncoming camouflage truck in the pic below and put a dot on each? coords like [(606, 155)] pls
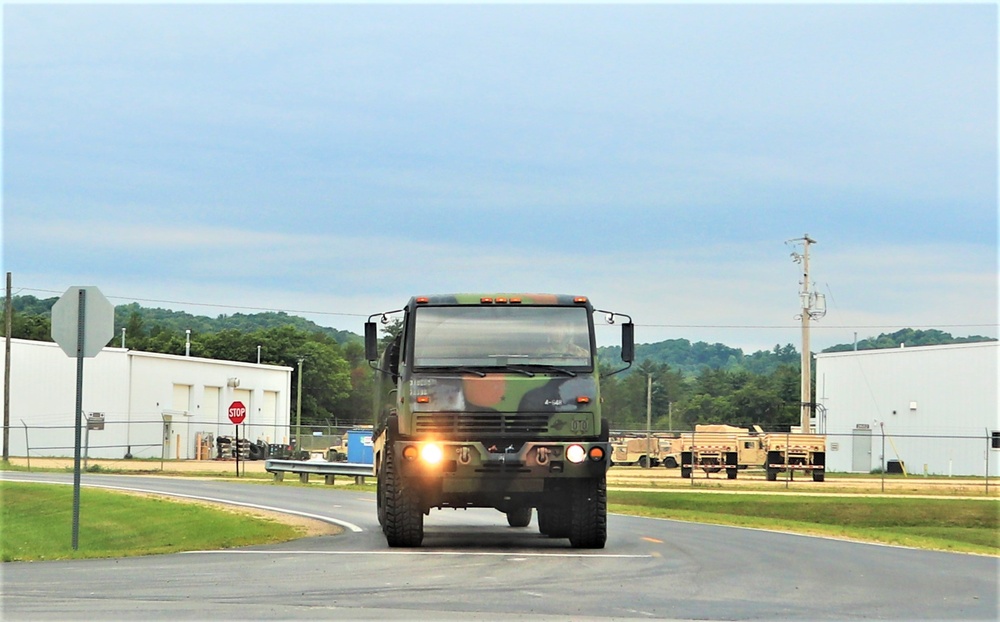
[(478, 337)]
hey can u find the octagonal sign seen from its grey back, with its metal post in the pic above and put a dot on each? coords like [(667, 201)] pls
[(83, 321)]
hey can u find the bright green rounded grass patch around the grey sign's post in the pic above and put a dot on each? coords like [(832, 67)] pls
[(36, 523)]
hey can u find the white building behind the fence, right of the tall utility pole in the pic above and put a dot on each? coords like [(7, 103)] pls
[(933, 409)]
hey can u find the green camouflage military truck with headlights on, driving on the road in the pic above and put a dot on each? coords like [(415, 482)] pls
[(492, 401)]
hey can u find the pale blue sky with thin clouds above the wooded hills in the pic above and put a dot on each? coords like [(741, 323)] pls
[(332, 160)]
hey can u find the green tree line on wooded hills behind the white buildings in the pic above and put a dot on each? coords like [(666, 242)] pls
[(676, 383)]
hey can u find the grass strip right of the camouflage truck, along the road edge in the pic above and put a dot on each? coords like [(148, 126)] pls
[(961, 525)]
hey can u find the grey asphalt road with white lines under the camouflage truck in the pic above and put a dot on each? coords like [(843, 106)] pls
[(474, 567)]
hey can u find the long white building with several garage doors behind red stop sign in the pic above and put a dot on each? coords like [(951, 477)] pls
[(153, 405)]
